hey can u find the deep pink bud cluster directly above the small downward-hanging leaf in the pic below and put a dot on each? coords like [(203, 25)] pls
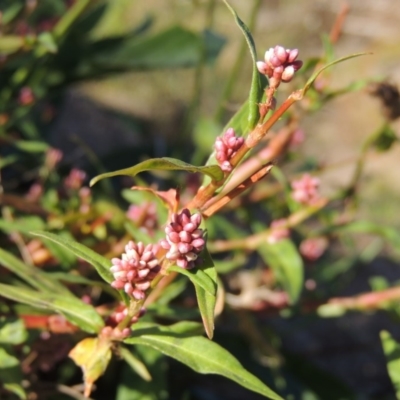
[(184, 239)]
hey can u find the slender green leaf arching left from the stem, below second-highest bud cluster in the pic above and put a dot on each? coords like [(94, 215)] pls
[(165, 163)]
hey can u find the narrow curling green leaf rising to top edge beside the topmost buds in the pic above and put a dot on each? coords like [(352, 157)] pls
[(256, 89)]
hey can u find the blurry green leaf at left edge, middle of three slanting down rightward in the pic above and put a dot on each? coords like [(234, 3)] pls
[(32, 275)]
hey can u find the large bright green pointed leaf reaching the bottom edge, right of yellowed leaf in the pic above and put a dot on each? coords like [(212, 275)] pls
[(200, 354)]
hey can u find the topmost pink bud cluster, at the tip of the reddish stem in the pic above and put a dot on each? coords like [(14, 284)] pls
[(280, 65)]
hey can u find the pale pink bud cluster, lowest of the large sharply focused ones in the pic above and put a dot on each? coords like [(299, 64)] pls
[(135, 270)]
